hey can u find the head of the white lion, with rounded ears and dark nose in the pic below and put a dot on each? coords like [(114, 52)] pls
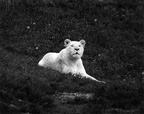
[(74, 49)]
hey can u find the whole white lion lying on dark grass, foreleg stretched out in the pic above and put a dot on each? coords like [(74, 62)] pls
[(68, 60)]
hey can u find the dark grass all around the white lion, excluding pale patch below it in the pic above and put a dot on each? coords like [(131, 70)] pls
[(114, 53)]
